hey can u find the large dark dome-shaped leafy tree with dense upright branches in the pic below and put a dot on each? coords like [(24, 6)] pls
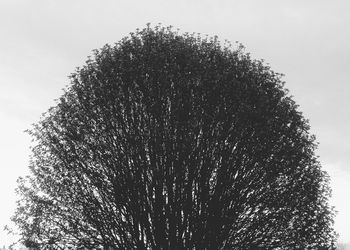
[(169, 141)]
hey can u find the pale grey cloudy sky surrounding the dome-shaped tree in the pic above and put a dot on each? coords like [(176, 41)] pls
[(43, 41)]
